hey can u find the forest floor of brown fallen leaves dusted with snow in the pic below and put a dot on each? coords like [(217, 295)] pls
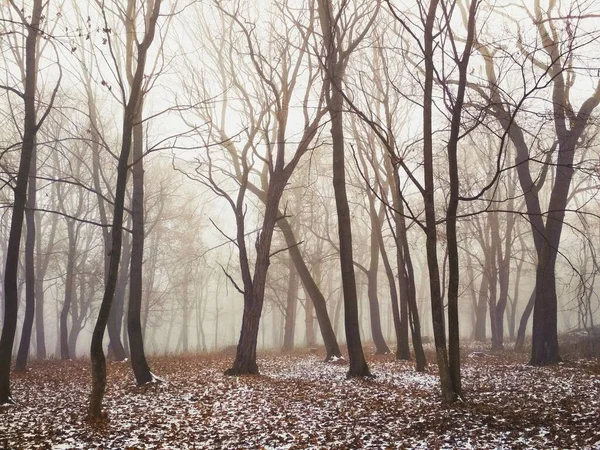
[(299, 402)]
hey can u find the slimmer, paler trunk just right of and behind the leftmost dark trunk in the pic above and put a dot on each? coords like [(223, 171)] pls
[(30, 282)]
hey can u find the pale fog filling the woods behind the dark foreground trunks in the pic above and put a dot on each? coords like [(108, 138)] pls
[(235, 103)]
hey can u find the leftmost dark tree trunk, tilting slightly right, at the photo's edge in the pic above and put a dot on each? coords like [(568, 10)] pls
[(11, 298)]
